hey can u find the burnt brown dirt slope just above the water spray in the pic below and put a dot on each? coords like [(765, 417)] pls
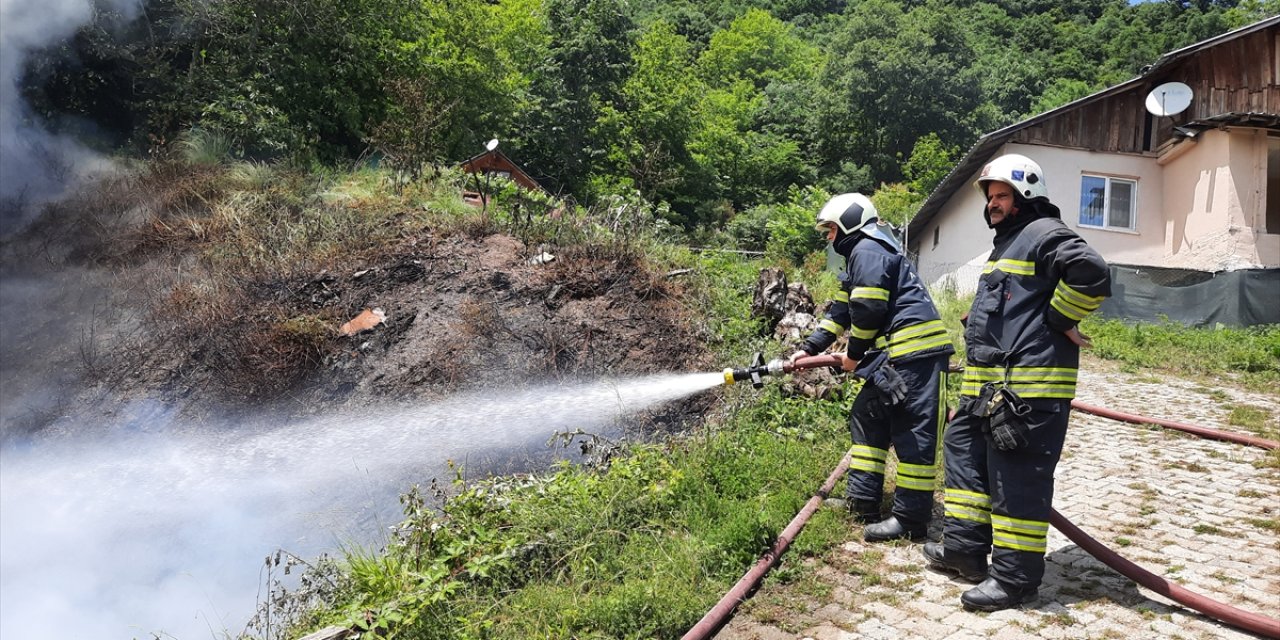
[(88, 335)]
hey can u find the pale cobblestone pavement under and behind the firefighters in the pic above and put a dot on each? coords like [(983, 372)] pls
[(1201, 514)]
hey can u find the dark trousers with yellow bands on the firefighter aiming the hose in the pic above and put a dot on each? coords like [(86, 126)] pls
[(912, 428)]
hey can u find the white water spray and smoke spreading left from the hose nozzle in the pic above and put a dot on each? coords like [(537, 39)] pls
[(156, 529)]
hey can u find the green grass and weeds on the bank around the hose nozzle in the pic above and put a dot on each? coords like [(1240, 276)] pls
[(642, 548)]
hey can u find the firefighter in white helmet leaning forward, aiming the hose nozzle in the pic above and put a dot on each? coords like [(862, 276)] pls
[(883, 301)]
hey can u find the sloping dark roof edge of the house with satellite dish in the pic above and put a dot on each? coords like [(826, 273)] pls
[(982, 150)]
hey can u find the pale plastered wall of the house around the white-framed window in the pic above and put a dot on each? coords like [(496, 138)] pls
[(1201, 205)]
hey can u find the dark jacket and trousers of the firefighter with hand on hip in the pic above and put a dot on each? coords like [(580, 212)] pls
[(1041, 281)]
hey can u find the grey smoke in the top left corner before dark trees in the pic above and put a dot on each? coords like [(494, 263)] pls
[(36, 166)]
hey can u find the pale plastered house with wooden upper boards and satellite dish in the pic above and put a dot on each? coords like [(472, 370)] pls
[(1186, 207)]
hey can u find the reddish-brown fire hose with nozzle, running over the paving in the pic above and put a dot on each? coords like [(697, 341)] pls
[(720, 614)]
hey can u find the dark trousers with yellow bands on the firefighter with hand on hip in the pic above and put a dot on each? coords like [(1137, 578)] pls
[(1000, 501)]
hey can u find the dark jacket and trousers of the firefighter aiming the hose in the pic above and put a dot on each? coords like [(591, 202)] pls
[(883, 301)]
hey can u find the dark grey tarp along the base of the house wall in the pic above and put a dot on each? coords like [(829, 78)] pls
[(1195, 299)]
